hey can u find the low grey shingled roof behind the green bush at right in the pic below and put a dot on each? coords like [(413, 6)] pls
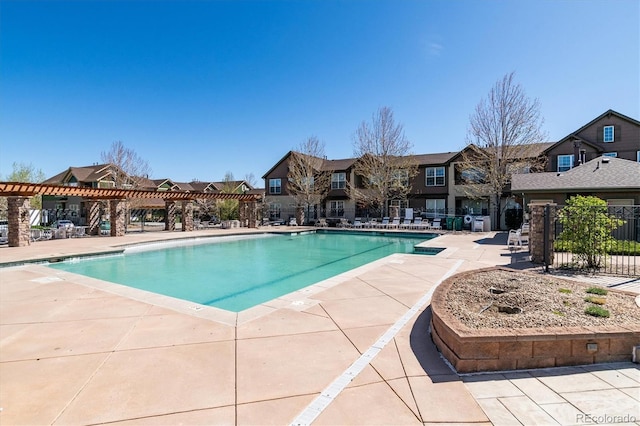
[(601, 173)]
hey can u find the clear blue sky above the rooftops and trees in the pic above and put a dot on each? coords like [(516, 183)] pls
[(201, 88)]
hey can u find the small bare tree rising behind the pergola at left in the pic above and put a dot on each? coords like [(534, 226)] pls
[(128, 169)]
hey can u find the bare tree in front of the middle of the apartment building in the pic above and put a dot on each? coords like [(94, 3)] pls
[(384, 162)]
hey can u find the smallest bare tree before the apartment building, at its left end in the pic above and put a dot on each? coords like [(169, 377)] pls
[(309, 181)]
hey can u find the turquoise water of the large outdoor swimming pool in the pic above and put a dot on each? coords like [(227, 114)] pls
[(237, 273)]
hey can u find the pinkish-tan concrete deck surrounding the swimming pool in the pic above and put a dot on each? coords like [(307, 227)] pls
[(76, 351)]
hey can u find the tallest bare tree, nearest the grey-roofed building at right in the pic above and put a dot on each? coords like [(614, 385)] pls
[(503, 139)]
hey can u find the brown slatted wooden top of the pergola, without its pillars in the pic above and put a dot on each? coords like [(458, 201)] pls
[(30, 189)]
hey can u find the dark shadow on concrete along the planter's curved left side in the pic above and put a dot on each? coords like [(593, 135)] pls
[(426, 352)]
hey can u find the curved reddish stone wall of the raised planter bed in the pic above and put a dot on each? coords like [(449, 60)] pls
[(470, 350)]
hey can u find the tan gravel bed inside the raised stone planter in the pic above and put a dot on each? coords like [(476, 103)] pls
[(545, 301)]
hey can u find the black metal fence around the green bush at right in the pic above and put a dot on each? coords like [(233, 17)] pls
[(603, 239)]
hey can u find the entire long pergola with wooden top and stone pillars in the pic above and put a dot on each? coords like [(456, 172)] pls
[(19, 194)]
